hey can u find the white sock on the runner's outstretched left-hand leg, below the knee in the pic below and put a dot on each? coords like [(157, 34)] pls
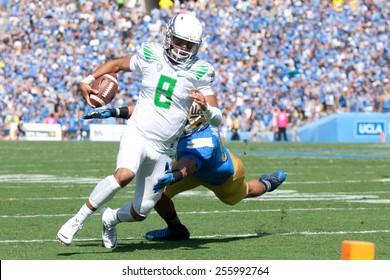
[(104, 191)]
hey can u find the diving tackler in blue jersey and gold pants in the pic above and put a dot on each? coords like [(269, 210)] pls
[(201, 159)]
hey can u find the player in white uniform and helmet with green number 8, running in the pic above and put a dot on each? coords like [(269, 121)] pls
[(172, 78)]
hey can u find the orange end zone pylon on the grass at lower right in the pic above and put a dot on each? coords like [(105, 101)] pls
[(357, 250)]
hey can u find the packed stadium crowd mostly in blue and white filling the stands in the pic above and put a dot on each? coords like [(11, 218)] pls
[(307, 58)]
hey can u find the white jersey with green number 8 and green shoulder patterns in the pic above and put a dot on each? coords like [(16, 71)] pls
[(162, 107)]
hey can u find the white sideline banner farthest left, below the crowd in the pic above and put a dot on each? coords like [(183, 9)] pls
[(38, 131)]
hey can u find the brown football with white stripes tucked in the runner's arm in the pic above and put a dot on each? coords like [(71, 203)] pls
[(107, 85)]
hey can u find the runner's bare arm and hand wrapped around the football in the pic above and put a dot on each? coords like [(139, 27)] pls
[(120, 64)]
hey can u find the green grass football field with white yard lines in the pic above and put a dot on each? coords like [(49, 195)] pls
[(333, 192)]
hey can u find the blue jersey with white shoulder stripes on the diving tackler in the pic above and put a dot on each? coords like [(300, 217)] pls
[(214, 164)]
